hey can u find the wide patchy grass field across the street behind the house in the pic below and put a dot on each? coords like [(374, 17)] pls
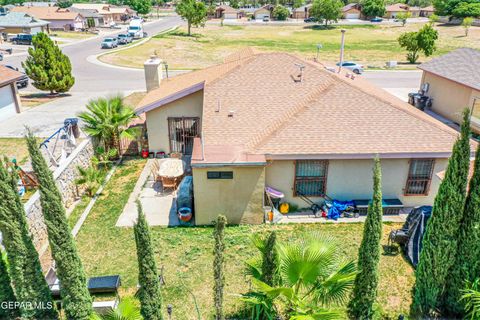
[(367, 44)]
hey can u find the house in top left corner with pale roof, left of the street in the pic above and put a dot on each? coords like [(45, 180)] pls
[(19, 22)]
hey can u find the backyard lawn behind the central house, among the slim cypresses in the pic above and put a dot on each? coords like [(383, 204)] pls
[(186, 254)]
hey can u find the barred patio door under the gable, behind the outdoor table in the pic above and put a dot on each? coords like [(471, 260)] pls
[(181, 132)]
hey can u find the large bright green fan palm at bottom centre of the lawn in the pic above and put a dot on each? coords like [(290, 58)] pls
[(314, 278)]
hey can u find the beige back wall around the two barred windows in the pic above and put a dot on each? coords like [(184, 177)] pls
[(352, 179)]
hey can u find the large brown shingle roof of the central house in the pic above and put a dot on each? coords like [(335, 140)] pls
[(253, 106)]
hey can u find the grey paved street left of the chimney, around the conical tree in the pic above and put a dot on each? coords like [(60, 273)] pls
[(91, 81)]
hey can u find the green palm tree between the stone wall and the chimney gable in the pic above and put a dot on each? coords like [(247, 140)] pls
[(107, 120)]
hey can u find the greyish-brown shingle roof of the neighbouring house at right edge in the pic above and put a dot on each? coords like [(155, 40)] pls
[(461, 65)]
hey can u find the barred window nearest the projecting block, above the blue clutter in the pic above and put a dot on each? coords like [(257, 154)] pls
[(310, 177)]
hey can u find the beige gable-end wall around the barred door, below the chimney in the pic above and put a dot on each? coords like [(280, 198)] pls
[(157, 119)]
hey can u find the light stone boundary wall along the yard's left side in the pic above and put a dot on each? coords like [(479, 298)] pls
[(65, 176)]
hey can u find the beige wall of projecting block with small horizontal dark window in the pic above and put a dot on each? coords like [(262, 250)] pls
[(239, 199)]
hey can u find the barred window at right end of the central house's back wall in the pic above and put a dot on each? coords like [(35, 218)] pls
[(419, 177)]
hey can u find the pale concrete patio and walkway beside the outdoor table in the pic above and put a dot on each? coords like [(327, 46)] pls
[(159, 209)]
